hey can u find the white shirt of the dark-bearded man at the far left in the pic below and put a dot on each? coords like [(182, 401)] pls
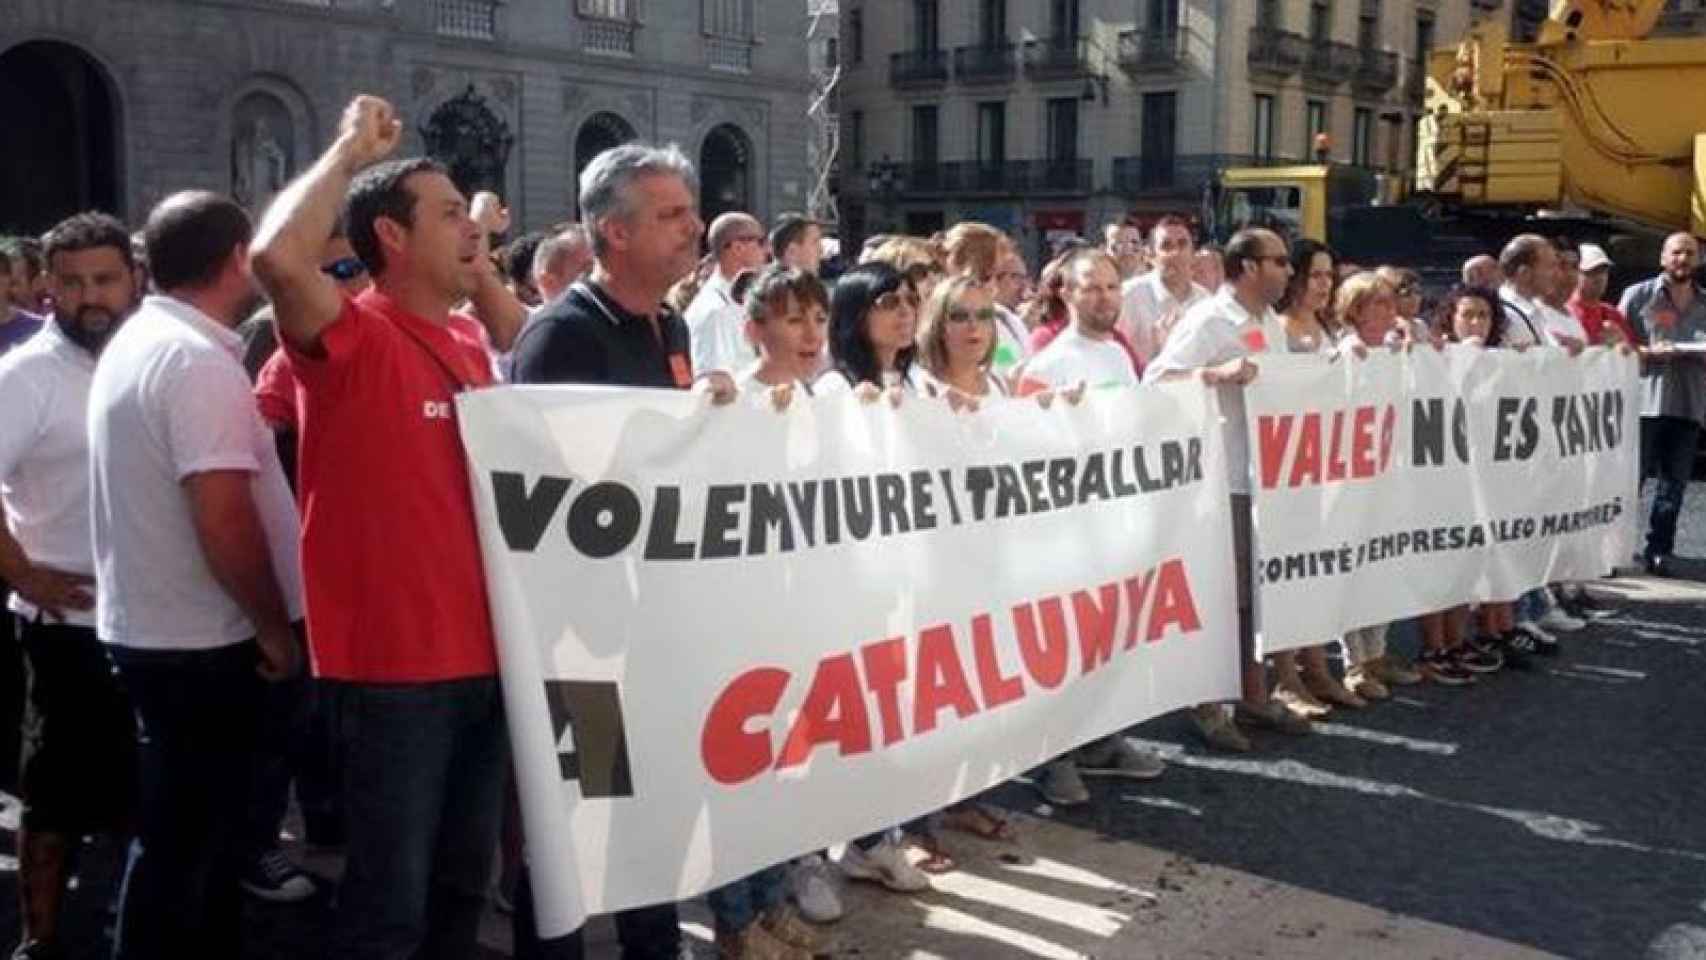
[(45, 456)]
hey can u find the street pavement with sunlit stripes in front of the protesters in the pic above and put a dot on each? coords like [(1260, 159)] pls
[(1550, 813)]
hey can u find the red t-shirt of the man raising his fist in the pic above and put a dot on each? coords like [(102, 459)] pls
[(390, 553)]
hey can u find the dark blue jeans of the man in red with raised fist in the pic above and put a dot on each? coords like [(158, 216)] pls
[(422, 770)]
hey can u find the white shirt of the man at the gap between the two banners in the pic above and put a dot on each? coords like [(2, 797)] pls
[(1216, 332)]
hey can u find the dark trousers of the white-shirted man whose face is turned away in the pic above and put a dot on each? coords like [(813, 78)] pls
[(197, 719)]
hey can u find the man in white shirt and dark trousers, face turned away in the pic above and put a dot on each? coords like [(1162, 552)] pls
[(195, 541)]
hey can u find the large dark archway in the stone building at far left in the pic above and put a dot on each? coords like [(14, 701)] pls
[(62, 151)]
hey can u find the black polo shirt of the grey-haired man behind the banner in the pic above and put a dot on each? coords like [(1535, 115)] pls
[(586, 337)]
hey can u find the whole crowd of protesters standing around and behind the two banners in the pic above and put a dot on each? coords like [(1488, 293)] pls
[(241, 541)]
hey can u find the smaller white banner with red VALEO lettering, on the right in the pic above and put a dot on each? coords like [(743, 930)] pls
[(1410, 483)]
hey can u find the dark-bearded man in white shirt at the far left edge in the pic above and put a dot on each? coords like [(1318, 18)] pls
[(79, 760)]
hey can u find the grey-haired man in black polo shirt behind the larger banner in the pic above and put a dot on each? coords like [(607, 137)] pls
[(637, 204)]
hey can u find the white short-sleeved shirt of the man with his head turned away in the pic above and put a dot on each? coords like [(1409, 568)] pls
[(170, 400)]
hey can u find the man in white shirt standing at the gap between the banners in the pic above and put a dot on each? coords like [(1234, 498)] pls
[(1217, 340)]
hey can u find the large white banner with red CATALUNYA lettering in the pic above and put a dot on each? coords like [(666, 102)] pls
[(733, 635)]
